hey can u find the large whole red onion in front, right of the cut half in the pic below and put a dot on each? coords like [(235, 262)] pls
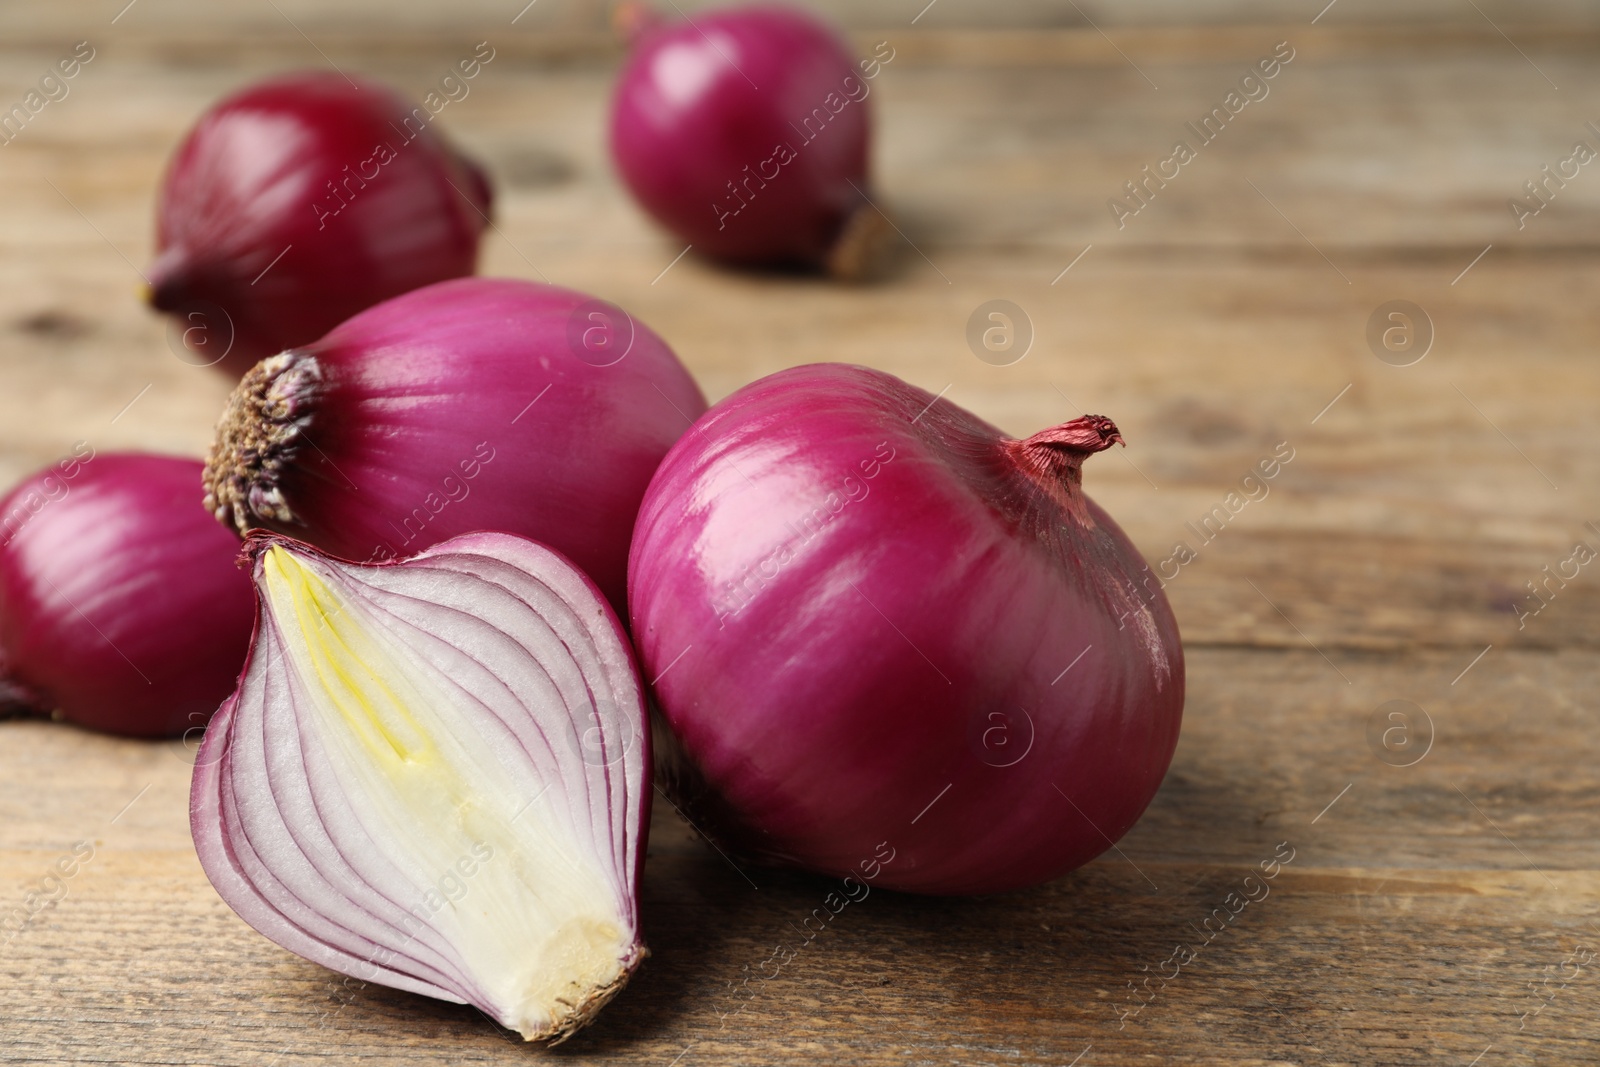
[(860, 604)]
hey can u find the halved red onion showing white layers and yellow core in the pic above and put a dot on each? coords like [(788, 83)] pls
[(436, 777)]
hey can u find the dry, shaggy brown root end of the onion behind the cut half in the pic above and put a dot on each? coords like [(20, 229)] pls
[(258, 438)]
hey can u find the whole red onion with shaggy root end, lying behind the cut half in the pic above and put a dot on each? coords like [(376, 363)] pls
[(470, 406)]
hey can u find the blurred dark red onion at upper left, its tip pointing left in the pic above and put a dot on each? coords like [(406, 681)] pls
[(359, 188)]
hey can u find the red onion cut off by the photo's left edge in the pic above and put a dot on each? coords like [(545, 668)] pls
[(121, 602)]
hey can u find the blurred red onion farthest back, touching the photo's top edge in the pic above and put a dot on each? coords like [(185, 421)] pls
[(686, 124)]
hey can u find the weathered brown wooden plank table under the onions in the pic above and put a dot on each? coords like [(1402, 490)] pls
[(1441, 913)]
